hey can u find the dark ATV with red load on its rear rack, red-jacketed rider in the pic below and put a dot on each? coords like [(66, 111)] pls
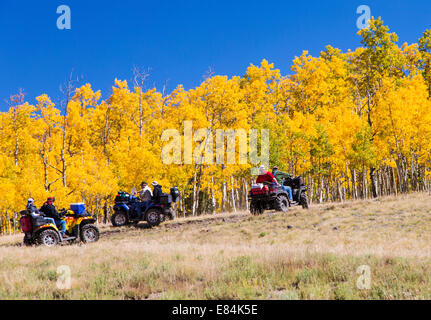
[(267, 196)]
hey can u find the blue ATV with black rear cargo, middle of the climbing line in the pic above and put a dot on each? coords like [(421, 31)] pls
[(126, 209)]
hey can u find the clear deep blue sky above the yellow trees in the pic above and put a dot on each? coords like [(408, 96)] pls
[(178, 40)]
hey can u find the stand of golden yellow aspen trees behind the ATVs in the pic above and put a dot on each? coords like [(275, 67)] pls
[(354, 124)]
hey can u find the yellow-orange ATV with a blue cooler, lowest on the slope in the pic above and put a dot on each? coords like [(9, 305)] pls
[(41, 231)]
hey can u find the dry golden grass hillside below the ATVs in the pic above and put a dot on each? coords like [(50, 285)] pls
[(303, 254)]
